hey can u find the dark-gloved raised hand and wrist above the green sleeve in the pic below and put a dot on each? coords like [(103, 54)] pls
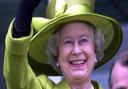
[(23, 17)]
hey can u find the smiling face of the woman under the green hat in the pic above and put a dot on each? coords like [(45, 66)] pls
[(76, 51)]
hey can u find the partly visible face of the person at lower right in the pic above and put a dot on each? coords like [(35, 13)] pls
[(120, 77)]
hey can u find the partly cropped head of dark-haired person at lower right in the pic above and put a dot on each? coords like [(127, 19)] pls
[(118, 78)]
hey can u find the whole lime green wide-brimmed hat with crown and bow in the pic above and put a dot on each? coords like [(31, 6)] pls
[(60, 12)]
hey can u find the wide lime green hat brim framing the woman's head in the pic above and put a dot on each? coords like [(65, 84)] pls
[(110, 28)]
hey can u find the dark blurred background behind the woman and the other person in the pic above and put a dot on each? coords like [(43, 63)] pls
[(113, 8)]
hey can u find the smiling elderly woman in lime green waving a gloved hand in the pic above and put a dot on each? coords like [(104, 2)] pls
[(75, 38)]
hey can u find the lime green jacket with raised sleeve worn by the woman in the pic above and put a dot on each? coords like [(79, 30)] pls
[(18, 73)]
